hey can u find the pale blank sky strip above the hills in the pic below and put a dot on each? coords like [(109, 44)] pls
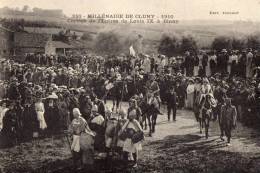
[(181, 9)]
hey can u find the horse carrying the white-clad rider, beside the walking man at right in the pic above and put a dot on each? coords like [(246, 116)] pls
[(206, 103)]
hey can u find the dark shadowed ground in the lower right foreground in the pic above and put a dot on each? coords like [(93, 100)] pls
[(188, 154)]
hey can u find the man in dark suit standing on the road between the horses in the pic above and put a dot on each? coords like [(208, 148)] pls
[(171, 104)]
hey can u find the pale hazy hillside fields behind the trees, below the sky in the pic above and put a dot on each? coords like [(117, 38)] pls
[(204, 31)]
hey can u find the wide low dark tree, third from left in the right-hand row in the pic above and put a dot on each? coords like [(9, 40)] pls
[(221, 42)]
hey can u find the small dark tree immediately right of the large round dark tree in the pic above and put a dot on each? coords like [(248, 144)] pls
[(188, 44)]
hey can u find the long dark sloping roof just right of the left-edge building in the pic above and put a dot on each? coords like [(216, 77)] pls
[(30, 40)]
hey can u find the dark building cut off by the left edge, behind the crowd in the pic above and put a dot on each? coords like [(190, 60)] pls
[(6, 42)]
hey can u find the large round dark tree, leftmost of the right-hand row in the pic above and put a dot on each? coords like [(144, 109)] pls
[(169, 46)]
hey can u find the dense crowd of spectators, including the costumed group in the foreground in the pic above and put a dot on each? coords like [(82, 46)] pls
[(47, 95)]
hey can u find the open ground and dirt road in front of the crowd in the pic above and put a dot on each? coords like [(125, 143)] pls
[(175, 147)]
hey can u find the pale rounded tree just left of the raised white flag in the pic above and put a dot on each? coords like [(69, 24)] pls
[(108, 43)]
